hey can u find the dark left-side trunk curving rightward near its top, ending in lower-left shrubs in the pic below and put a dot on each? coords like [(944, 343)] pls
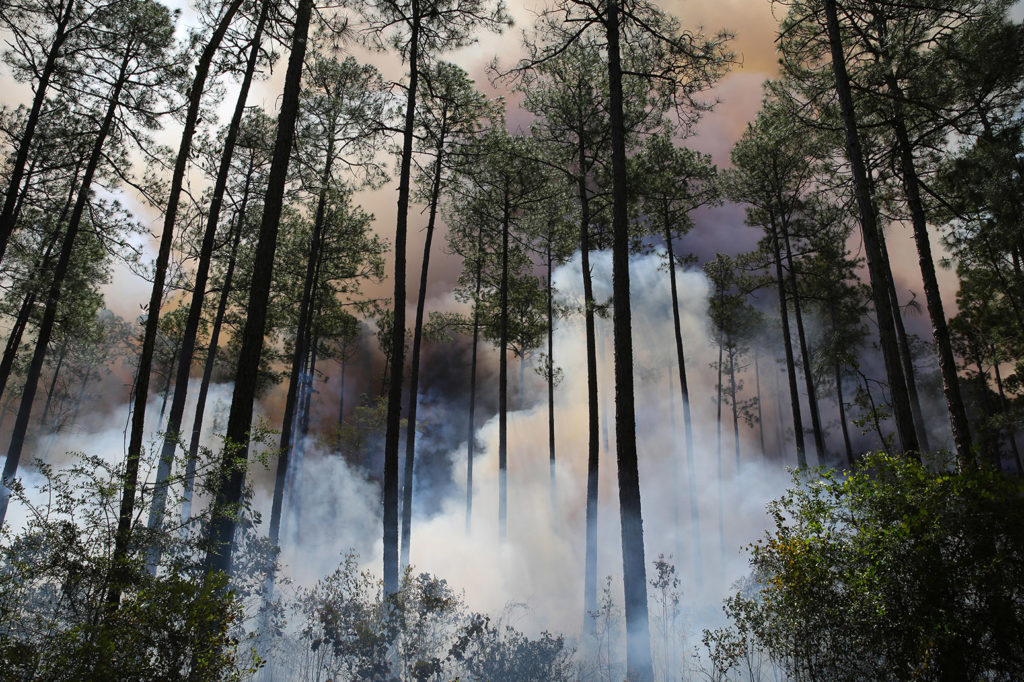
[(127, 510)]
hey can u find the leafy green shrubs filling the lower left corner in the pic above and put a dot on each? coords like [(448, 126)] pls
[(55, 623)]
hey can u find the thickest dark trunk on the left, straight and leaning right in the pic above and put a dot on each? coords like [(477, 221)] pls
[(229, 495)]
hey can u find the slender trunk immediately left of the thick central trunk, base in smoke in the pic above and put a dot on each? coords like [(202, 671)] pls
[(593, 438)]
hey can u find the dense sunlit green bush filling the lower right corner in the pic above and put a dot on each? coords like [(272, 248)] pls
[(892, 572)]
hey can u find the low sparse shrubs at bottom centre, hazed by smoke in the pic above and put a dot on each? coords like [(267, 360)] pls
[(350, 631)]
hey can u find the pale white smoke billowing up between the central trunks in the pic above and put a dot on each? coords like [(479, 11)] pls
[(542, 562)]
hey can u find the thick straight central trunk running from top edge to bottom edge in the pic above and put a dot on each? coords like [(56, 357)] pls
[(638, 660)]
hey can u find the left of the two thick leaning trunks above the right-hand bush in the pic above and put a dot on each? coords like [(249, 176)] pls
[(883, 309)]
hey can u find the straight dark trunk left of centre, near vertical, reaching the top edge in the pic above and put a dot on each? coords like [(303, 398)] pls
[(398, 360)]
